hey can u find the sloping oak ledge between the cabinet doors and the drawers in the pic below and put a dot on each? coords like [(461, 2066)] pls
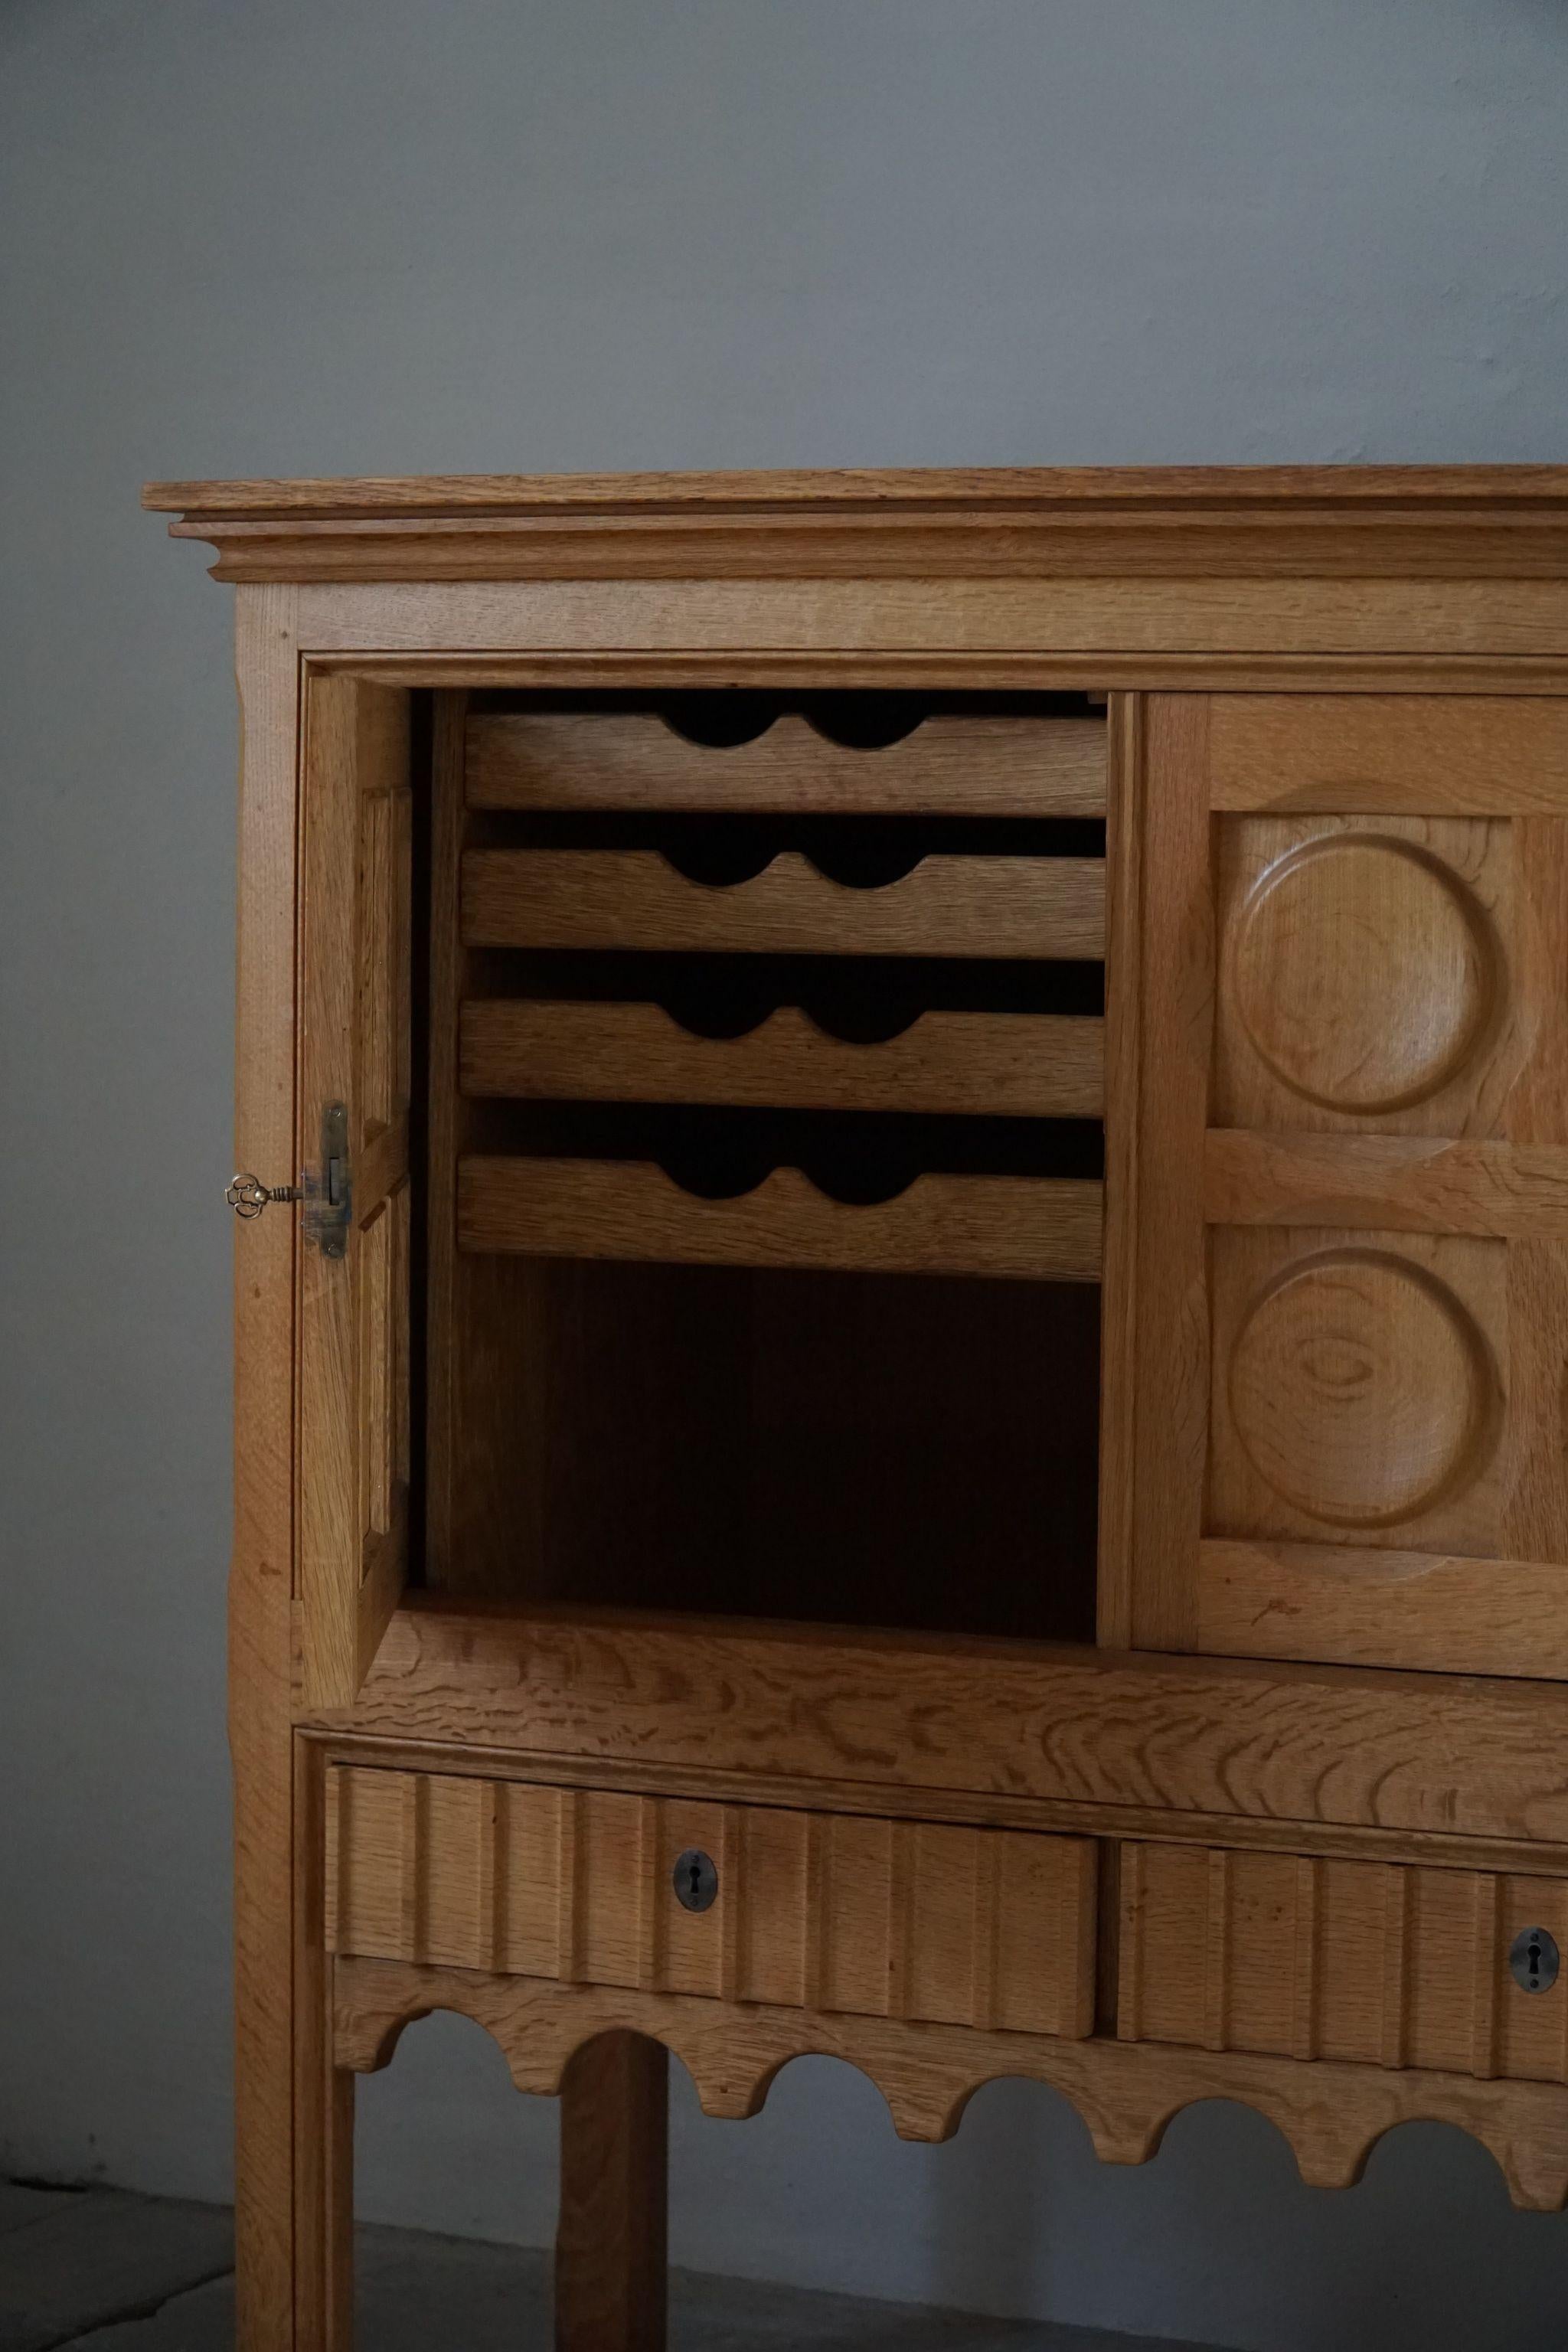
[(1235, 1737)]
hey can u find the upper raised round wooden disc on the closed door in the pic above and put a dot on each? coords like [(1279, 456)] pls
[(1365, 973)]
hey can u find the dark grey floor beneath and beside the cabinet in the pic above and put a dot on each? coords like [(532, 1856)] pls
[(100, 2271)]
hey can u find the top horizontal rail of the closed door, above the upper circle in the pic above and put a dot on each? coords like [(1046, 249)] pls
[(1383, 754)]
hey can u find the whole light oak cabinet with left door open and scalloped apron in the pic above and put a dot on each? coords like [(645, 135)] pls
[(913, 1403)]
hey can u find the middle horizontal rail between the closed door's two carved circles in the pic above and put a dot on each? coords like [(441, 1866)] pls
[(1393, 1184)]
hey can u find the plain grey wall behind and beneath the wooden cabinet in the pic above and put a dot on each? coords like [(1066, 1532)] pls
[(396, 236)]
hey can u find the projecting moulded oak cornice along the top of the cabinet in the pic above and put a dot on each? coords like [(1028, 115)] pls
[(1257, 523)]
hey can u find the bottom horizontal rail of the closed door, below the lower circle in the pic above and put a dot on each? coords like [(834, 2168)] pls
[(1351, 1605)]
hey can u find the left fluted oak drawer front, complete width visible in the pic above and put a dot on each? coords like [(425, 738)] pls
[(812, 1911)]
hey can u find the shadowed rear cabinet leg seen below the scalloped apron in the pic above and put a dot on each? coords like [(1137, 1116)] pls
[(610, 2243)]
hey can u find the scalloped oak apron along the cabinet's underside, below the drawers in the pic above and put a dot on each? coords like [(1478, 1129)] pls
[(1127, 2092)]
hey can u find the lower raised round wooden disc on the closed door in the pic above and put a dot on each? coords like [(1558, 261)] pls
[(1362, 1389)]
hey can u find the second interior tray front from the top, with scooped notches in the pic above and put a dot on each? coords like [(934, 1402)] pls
[(636, 900)]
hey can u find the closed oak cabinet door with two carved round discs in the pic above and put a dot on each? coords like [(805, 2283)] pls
[(1348, 1203)]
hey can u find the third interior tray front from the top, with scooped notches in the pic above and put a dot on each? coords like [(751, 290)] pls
[(1024, 1064)]
